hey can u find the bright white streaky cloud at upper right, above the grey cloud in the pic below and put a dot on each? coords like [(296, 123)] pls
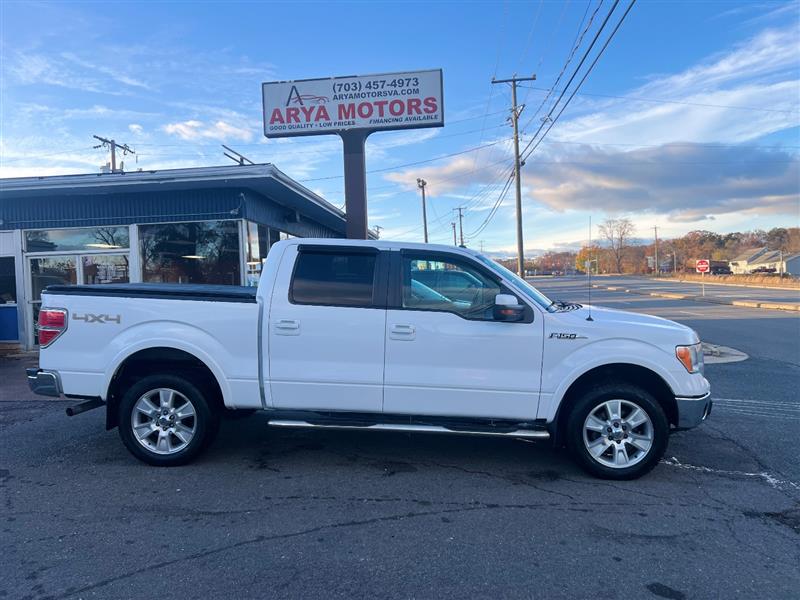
[(760, 73)]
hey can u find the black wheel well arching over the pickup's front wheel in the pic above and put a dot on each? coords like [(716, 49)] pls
[(621, 373)]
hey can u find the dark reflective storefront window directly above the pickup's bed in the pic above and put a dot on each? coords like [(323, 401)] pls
[(200, 252)]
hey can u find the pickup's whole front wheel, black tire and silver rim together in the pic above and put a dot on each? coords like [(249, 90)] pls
[(617, 431)]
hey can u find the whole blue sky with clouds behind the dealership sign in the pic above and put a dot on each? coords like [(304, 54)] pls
[(706, 136)]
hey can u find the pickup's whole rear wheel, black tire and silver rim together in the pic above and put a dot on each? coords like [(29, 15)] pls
[(165, 420)]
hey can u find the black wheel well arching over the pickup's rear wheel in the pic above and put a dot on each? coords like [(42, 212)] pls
[(160, 360)]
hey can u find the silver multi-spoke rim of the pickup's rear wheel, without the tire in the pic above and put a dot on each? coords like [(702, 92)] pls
[(164, 421)]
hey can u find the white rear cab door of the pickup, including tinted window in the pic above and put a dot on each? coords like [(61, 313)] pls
[(327, 328)]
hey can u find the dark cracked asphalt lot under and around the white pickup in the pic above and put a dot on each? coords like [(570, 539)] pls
[(307, 514)]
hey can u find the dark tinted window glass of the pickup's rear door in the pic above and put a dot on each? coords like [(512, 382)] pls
[(338, 279)]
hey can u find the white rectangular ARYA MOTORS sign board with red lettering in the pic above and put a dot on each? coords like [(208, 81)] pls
[(375, 102)]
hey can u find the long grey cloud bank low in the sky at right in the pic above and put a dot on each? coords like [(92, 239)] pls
[(686, 182)]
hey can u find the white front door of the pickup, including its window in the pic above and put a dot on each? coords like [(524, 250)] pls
[(446, 355)]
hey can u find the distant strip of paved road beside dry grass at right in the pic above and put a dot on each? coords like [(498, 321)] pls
[(729, 292)]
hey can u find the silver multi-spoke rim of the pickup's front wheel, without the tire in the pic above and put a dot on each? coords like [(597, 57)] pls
[(618, 433)]
